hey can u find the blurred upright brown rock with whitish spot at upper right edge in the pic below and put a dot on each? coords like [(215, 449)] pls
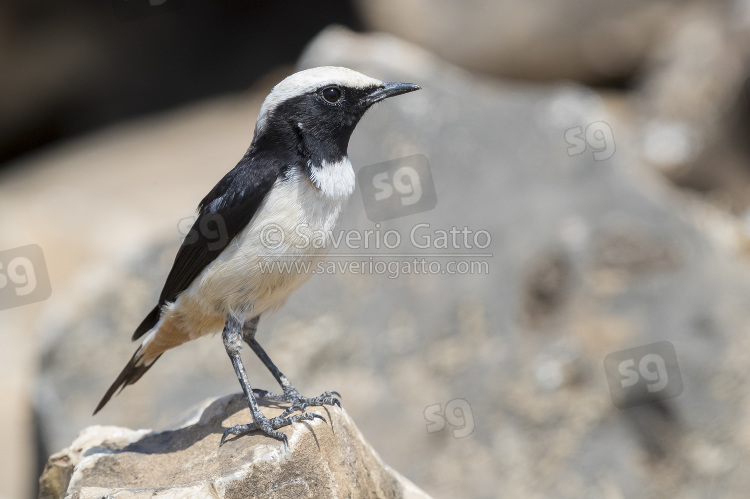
[(690, 104)]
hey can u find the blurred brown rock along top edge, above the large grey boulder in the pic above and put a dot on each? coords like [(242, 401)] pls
[(595, 41)]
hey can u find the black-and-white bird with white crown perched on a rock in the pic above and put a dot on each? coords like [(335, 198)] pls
[(295, 174)]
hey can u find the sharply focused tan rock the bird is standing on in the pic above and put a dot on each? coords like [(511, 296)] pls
[(324, 459)]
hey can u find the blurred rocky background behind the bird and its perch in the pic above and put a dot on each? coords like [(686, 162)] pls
[(640, 237)]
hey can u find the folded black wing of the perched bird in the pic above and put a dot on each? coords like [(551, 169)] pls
[(222, 214)]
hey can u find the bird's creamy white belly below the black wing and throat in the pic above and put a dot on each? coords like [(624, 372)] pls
[(273, 256)]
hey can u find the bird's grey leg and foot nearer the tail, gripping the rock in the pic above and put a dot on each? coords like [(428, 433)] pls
[(233, 343)]
